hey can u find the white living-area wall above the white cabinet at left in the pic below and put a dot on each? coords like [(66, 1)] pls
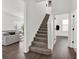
[(9, 21)]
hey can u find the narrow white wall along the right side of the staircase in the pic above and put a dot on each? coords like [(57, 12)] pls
[(51, 32)]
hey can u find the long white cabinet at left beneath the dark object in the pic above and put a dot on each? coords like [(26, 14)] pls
[(9, 39)]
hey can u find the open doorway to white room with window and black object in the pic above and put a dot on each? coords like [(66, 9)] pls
[(61, 25)]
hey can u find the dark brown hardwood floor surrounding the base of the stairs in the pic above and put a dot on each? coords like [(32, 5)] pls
[(61, 51)]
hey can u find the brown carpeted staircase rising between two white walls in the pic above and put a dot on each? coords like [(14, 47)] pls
[(40, 43)]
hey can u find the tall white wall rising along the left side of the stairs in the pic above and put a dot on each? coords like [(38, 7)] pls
[(36, 14)]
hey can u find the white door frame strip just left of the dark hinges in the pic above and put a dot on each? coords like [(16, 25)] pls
[(71, 31)]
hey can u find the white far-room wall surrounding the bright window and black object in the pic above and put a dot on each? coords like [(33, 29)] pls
[(58, 21)]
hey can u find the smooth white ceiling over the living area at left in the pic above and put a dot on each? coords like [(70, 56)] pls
[(13, 6)]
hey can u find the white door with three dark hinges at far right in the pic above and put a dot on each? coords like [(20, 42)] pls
[(72, 37)]
